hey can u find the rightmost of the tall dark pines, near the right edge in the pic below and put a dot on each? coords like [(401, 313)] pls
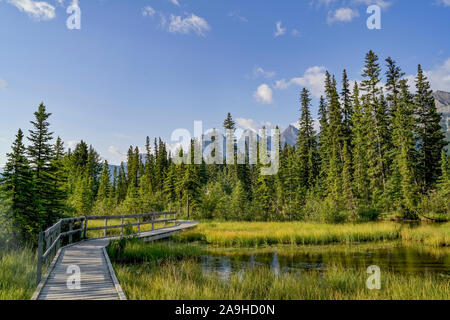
[(430, 134)]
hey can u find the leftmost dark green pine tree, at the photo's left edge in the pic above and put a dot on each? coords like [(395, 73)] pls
[(17, 184)]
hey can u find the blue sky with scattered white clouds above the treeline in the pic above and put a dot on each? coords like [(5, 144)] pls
[(148, 67)]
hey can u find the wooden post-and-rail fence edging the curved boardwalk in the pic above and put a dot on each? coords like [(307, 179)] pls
[(63, 233)]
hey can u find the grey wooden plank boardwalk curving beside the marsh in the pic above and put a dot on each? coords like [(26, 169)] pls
[(97, 278)]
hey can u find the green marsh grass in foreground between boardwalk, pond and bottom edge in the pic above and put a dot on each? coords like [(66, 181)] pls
[(186, 280)]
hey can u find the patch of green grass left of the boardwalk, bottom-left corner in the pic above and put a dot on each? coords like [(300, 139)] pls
[(17, 274)]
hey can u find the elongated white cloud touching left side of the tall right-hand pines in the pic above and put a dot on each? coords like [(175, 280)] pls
[(313, 79)]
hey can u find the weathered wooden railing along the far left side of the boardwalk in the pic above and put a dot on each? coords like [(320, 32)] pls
[(53, 235)]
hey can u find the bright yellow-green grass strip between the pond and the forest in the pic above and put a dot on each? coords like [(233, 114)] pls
[(255, 234)]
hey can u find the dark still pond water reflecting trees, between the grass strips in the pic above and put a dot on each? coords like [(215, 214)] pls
[(392, 257)]
